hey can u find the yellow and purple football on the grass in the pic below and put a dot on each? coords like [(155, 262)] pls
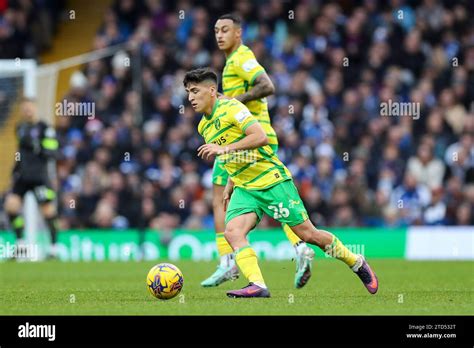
[(164, 281)]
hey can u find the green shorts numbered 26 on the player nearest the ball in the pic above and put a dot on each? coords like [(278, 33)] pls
[(281, 202)]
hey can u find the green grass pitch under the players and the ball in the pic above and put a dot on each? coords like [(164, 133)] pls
[(407, 288)]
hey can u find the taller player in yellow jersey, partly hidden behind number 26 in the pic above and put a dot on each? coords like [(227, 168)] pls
[(245, 79)]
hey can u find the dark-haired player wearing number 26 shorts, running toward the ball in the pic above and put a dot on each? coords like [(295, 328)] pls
[(259, 183)]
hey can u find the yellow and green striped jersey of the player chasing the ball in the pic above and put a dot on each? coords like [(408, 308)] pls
[(255, 169)]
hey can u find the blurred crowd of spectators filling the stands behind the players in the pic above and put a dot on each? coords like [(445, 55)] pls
[(332, 62)]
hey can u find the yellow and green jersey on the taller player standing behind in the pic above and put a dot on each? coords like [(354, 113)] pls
[(240, 71)]
